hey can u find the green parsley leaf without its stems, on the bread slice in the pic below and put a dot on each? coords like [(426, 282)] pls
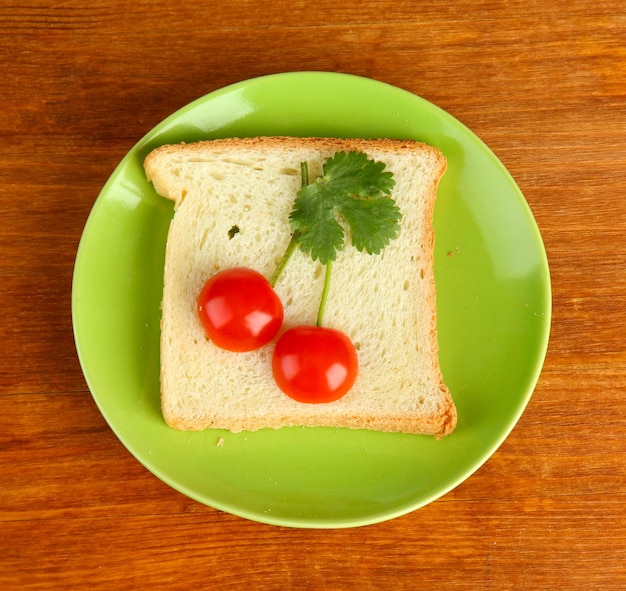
[(356, 189)]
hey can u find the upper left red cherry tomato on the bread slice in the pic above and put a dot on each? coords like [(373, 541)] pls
[(239, 310)]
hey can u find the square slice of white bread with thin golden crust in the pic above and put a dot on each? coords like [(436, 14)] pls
[(232, 203)]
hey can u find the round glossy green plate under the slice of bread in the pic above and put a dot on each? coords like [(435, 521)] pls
[(494, 305)]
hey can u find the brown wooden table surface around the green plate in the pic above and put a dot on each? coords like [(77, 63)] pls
[(543, 83)]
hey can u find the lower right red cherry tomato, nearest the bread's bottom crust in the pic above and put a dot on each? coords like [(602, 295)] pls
[(314, 364)]
